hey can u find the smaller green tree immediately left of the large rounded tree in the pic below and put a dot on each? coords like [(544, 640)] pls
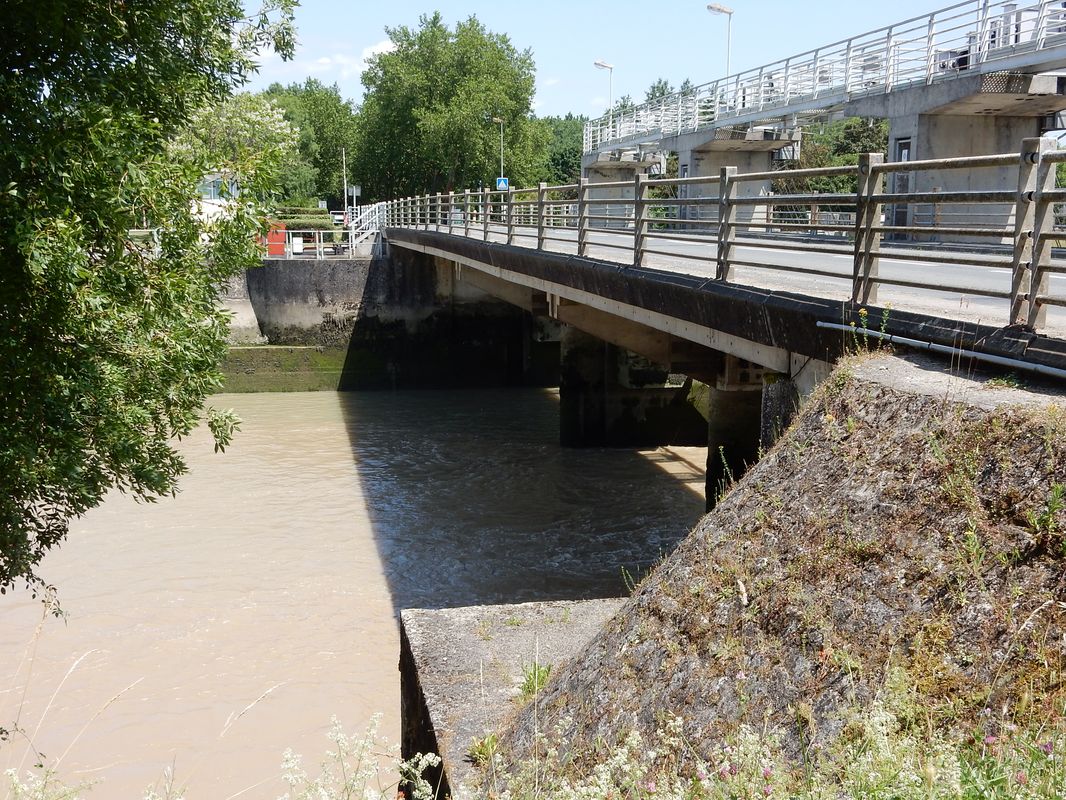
[(328, 124)]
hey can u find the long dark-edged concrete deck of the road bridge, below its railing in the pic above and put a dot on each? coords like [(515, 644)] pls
[(768, 321)]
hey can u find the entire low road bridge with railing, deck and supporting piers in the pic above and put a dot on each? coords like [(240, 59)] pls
[(761, 301)]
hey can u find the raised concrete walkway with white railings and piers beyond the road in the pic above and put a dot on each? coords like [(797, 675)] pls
[(972, 79)]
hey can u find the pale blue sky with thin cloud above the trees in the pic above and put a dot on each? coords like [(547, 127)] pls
[(645, 41)]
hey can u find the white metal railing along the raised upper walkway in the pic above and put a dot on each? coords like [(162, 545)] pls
[(973, 36)]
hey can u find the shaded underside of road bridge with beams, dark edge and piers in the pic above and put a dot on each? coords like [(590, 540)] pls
[(753, 351)]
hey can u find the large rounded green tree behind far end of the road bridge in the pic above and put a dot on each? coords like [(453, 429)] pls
[(428, 121)]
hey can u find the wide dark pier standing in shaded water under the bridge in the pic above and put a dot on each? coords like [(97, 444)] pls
[(610, 397)]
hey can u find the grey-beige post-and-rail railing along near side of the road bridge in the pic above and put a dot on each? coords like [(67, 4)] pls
[(709, 219)]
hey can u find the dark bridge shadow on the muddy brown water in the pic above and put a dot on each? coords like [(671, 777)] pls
[(473, 501)]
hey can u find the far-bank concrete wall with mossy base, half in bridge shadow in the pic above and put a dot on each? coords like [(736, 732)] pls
[(386, 322)]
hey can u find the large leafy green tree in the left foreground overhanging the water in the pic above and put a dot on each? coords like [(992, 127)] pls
[(110, 338)]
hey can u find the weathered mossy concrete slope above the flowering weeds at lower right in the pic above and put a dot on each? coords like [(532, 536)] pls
[(910, 520)]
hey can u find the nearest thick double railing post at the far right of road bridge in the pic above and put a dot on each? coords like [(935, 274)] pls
[(1032, 220)]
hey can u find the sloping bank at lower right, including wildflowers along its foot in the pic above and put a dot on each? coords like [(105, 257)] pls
[(875, 612)]
